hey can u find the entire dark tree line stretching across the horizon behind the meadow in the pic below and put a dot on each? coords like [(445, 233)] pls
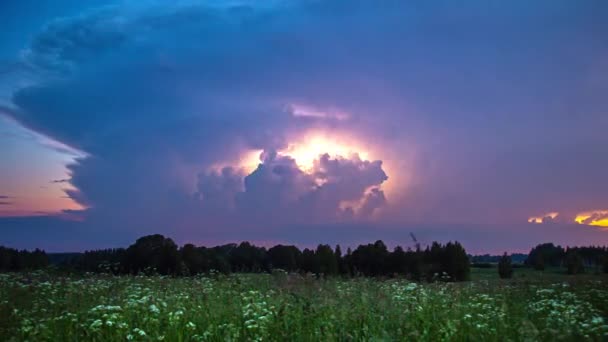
[(159, 254)]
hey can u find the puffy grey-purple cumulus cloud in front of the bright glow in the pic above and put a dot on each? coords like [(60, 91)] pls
[(279, 192)]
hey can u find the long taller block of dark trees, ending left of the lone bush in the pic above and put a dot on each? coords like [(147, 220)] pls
[(159, 254)]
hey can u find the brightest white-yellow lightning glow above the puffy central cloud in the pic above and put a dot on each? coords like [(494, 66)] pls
[(308, 150)]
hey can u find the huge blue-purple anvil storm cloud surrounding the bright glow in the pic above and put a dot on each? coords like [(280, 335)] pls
[(501, 107)]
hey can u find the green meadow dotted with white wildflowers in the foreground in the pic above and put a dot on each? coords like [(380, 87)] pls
[(255, 307)]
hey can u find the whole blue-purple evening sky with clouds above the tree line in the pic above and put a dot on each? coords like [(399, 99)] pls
[(304, 122)]
